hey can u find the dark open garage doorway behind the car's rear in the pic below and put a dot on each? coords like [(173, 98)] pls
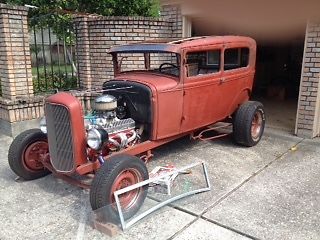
[(277, 81)]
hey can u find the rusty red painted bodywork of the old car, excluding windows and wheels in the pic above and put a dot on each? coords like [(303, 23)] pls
[(181, 105)]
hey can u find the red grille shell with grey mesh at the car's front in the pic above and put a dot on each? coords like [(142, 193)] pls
[(66, 133)]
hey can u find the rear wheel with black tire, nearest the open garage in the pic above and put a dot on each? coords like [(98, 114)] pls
[(249, 123)]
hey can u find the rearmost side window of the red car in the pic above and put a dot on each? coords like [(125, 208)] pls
[(236, 58)]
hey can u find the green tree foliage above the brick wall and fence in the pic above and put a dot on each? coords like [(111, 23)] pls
[(58, 13)]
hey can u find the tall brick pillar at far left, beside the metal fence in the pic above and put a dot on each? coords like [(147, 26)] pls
[(15, 60)]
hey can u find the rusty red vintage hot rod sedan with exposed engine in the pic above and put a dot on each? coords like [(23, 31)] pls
[(160, 92)]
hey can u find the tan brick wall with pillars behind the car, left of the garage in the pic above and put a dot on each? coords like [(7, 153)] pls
[(95, 36)]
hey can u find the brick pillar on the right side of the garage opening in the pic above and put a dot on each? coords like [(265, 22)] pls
[(307, 124)]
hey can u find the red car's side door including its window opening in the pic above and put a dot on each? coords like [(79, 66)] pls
[(201, 95)]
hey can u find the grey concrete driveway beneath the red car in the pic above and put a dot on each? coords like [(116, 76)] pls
[(270, 191)]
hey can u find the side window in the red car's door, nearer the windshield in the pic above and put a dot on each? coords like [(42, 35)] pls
[(203, 62)]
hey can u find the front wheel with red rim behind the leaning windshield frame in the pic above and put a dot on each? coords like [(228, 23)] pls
[(118, 172)]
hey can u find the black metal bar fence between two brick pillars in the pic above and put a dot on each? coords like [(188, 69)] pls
[(53, 59)]
